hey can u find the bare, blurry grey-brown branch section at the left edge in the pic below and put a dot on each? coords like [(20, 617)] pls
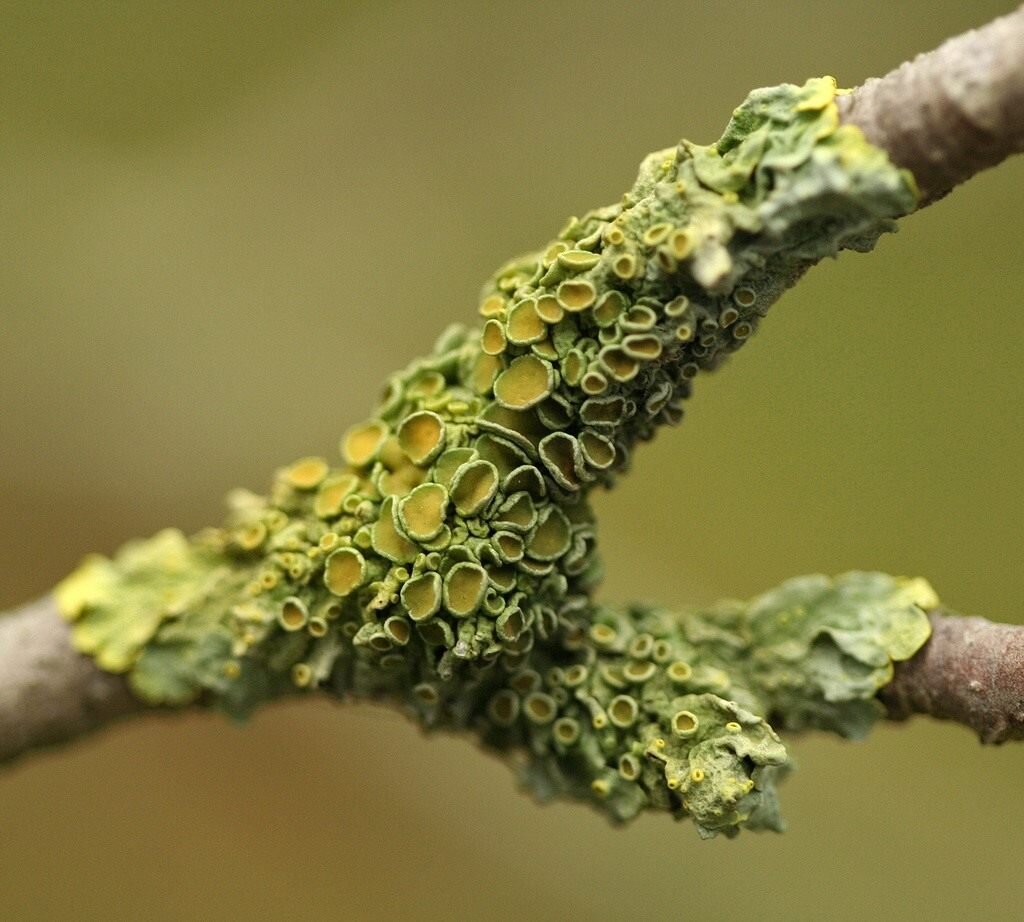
[(51, 693)]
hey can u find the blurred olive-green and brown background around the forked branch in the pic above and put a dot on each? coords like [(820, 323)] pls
[(222, 225)]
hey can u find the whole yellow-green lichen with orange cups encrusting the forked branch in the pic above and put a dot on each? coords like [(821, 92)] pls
[(450, 565)]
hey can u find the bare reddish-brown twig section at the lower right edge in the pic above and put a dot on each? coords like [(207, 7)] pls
[(971, 672)]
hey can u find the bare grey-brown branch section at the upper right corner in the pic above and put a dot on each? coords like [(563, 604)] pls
[(951, 113)]
